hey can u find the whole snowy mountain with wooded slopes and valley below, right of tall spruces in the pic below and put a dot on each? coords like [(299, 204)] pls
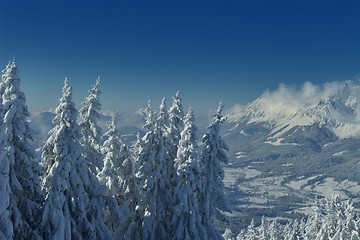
[(300, 143)]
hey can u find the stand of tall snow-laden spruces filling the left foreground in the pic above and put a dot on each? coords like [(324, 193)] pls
[(89, 185)]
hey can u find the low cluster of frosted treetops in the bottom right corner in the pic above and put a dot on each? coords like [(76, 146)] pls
[(330, 219)]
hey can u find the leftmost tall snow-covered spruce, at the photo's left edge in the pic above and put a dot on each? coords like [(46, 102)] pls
[(26, 196)]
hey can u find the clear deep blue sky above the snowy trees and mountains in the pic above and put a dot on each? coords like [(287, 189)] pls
[(209, 50)]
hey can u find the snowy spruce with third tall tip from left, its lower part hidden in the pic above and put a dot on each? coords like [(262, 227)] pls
[(89, 129)]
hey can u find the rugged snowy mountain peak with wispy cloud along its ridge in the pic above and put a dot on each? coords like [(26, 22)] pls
[(333, 105)]
